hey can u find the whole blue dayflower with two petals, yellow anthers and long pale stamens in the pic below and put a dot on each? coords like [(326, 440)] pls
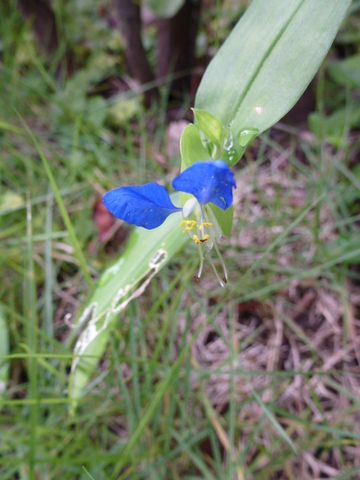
[(149, 205)]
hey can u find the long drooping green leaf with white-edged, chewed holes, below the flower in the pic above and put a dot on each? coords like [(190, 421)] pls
[(146, 253)]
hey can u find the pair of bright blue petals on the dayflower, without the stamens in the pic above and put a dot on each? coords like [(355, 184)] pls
[(149, 205)]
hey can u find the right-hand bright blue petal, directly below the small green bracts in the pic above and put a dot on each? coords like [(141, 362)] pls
[(208, 182)]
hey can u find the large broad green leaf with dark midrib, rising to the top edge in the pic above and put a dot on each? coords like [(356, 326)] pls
[(268, 60)]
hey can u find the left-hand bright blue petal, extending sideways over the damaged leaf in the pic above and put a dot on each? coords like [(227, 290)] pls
[(146, 206)]
